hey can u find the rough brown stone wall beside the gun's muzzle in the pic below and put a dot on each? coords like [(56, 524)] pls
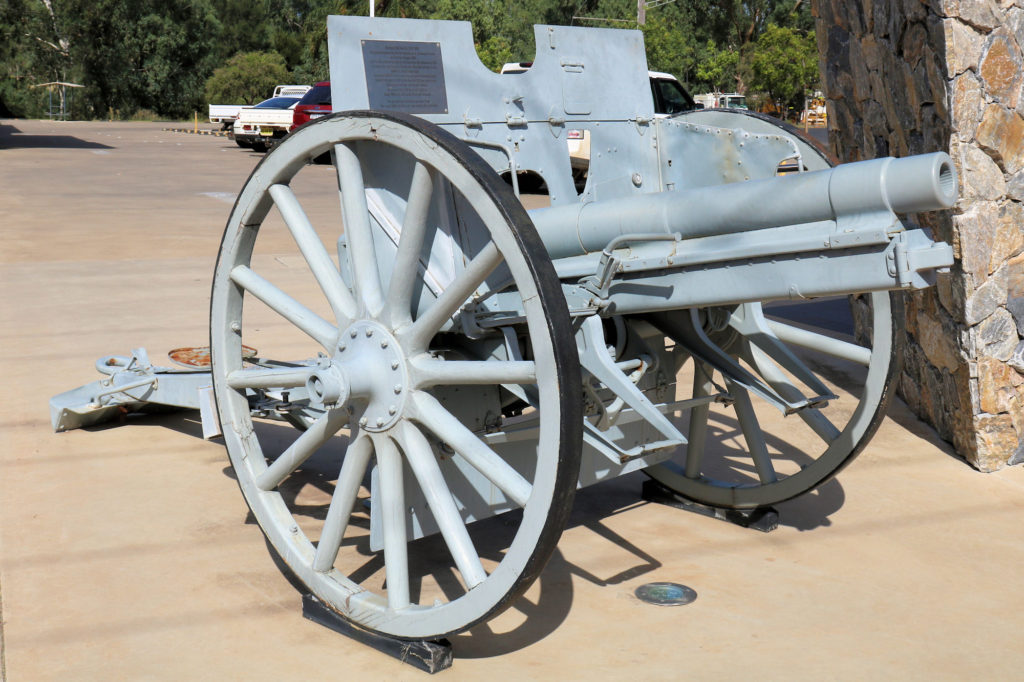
[(916, 76)]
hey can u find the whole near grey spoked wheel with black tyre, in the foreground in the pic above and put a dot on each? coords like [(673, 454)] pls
[(428, 229)]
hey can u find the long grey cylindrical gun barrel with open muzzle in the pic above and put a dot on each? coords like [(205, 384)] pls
[(925, 183)]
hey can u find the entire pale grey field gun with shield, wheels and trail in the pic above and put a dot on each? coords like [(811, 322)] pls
[(464, 358)]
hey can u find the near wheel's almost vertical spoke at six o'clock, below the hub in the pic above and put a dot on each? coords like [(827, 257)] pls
[(393, 503)]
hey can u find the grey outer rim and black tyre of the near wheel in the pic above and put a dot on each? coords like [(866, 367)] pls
[(559, 451)]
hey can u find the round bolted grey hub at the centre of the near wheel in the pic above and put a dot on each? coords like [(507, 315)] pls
[(369, 368)]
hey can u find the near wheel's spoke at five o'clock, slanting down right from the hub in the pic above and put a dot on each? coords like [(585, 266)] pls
[(429, 475)]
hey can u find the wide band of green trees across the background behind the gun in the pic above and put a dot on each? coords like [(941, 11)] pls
[(159, 55)]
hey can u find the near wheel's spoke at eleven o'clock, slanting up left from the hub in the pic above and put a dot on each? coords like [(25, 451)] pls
[(327, 274)]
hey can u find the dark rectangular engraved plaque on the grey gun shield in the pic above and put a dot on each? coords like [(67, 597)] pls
[(405, 76)]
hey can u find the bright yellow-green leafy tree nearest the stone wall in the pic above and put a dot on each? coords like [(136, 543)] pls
[(785, 64)]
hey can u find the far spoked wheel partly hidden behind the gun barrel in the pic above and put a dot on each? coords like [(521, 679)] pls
[(745, 453)]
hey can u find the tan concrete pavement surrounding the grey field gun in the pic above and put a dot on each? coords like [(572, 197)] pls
[(126, 552)]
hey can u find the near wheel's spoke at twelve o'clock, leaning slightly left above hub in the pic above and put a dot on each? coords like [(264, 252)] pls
[(356, 218)]
